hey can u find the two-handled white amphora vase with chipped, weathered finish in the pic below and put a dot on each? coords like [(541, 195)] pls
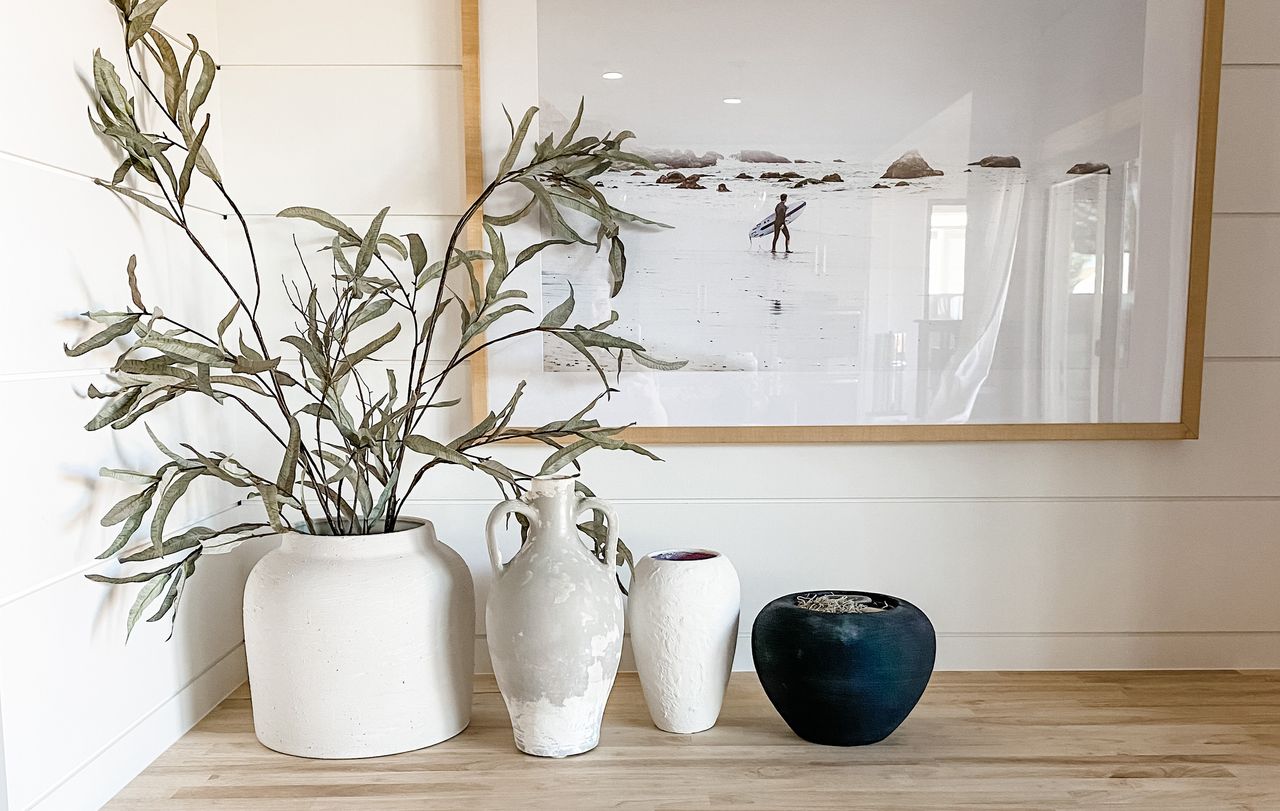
[(555, 621)]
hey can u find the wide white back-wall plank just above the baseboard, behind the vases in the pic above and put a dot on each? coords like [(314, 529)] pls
[(982, 569)]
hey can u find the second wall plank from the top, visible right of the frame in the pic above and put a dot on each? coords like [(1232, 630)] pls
[(1249, 164)]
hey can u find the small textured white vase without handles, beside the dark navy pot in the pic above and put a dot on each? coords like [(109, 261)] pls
[(683, 613)]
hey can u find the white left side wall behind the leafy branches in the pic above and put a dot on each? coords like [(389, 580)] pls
[(83, 713)]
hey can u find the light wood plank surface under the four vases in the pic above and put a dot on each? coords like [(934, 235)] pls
[(1148, 740)]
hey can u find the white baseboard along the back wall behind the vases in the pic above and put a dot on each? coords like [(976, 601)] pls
[(1160, 650)]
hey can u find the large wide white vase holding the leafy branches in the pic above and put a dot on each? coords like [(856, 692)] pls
[(360, 645)]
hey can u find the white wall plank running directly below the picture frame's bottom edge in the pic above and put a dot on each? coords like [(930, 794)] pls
[(1238, 455)]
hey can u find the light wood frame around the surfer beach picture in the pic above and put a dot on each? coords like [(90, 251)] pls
[(491, 56)]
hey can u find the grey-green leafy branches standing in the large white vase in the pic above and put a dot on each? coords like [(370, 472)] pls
[(350, 445)]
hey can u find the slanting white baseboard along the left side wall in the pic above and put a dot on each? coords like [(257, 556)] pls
[(93, 783)]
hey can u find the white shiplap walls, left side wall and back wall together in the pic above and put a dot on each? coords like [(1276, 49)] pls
[(1026, 556)]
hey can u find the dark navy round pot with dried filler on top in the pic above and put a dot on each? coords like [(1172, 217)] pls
[(844, 679)]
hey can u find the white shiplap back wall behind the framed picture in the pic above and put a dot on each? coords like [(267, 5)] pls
[(1026, 556)]
